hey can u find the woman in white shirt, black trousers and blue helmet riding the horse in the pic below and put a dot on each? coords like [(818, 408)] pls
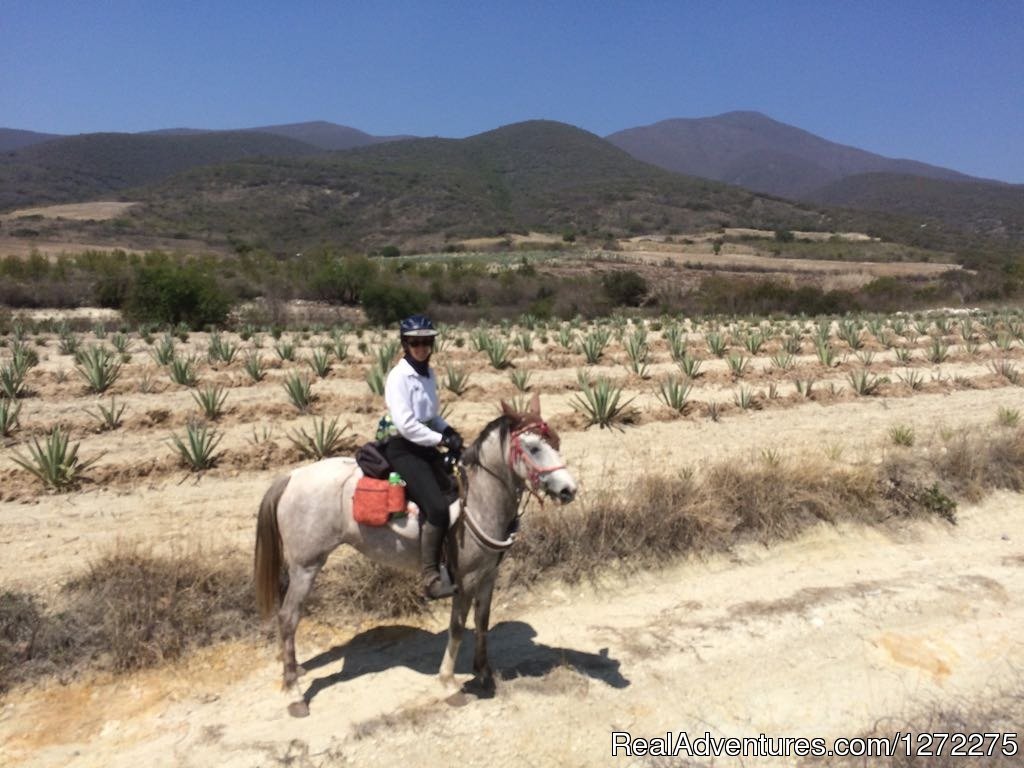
[(411, 395)]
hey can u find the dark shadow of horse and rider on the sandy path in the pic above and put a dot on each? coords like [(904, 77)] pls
[(382, 649)]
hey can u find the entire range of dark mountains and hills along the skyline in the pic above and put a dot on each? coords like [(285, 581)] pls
[(503, 178)]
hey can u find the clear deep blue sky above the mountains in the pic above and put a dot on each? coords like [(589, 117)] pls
[(932, 80)]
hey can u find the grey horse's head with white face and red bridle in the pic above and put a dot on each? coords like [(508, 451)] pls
[(534, 453)]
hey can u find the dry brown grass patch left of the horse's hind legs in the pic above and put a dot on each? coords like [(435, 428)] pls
[(130, 611)]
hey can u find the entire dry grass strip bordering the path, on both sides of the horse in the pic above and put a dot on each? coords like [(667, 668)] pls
[(133, 610)]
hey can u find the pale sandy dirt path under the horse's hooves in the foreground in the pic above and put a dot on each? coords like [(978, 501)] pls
[(818, 637)]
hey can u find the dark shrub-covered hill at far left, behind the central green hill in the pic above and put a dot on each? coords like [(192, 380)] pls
[(94, 165)]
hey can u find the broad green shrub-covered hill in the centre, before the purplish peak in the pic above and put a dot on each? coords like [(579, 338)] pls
[(534, 176)]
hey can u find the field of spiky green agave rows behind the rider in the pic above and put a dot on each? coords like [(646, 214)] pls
[(108, 407)]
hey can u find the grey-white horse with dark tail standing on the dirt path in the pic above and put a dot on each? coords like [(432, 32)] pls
[(308, 515)]
